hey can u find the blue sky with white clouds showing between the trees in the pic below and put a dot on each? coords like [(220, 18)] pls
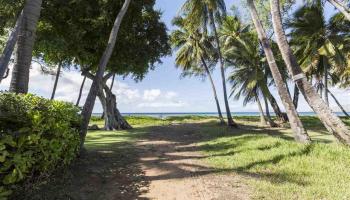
[(162, 90)]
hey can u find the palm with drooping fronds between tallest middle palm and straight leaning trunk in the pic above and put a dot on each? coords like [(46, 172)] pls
[(242, 50)]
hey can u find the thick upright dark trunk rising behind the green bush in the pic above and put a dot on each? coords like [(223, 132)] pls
[(25, 44)]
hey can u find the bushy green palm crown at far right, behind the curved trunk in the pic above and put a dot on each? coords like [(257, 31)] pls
[(319, 47)]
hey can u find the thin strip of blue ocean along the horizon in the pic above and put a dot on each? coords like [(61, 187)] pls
[(164, 115)]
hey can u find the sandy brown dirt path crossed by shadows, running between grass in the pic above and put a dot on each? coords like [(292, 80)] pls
[(174, 170)]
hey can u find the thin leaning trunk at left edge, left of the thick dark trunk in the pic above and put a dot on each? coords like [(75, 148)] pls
[(10, 46)]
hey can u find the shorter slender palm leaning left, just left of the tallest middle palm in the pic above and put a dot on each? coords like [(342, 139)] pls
[(193, 50)]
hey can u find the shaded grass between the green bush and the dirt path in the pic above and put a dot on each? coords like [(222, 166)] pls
[(107, 170)]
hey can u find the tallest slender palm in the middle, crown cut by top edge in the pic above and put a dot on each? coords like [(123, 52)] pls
[(202, 13)]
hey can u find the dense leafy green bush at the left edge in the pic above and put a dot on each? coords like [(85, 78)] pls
[(36, 136)]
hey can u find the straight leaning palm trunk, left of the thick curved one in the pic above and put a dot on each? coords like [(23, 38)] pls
[(300, 133)]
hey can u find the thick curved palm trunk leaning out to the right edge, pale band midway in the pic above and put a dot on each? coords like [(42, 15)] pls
[(329, 119)]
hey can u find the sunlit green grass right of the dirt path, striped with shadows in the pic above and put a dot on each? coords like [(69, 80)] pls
[(275, 166)]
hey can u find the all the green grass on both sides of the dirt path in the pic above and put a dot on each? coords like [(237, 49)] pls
[(272, 164)]
